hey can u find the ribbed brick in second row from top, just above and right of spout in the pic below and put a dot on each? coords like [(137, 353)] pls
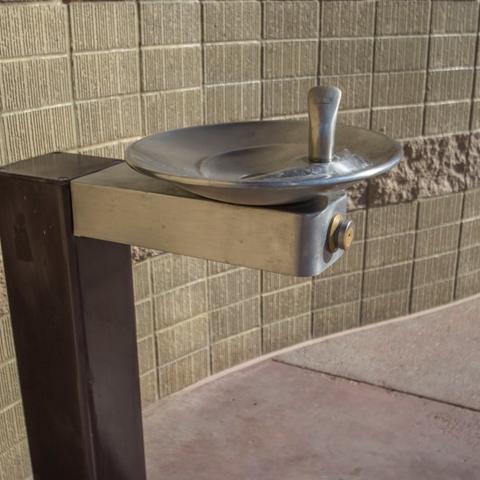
[(346, 56)]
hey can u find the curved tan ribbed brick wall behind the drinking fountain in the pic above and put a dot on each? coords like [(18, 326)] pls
[(94, 76)]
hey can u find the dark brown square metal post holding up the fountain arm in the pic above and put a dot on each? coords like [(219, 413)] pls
[(72, 309)]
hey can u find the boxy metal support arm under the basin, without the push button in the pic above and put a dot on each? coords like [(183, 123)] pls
[(120, 205)]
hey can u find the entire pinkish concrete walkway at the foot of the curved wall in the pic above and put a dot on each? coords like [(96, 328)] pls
[(396, 401)]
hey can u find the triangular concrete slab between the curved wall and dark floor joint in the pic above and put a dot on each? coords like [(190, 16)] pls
[(433, 354)]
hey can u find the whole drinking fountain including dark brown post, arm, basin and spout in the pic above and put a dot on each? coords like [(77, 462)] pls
[(261, 194)]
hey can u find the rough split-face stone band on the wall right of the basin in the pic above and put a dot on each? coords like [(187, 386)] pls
[(430, 167)]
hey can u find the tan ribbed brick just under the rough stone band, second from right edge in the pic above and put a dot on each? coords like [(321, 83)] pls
[(433, 212)]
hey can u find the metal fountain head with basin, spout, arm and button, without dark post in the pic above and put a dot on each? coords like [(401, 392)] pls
[(280, 183)]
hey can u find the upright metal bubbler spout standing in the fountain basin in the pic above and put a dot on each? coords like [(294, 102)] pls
[(323, 103)]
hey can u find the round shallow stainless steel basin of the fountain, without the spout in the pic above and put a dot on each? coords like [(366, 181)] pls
[(253, 163)]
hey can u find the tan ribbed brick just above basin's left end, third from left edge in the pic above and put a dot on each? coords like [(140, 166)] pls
[(172, 109)]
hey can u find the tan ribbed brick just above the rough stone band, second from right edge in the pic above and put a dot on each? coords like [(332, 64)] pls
[(447, 117)]
